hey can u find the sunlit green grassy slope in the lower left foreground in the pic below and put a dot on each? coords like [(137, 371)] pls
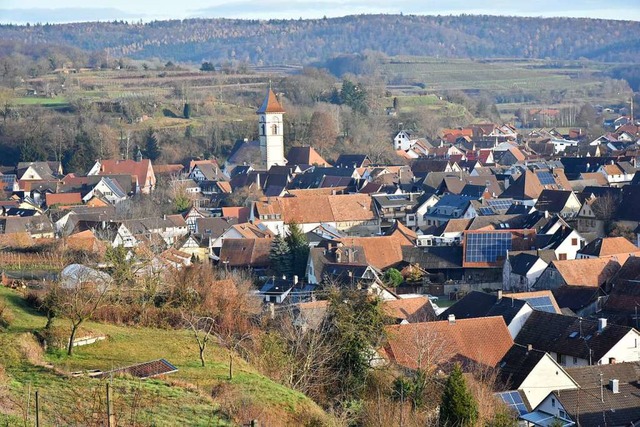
[(182, 400)]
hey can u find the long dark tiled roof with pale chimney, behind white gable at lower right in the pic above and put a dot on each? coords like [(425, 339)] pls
[(567, 335)]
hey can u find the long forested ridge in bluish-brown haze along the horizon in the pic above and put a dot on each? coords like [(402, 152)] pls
[(303, 41)]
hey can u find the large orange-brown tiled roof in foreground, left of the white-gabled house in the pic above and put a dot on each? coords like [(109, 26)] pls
[(482, 341)]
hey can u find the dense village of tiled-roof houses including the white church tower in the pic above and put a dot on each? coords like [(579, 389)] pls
[(534, 232)]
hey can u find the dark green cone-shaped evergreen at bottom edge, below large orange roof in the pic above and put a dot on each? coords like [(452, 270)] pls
[(458, 407)]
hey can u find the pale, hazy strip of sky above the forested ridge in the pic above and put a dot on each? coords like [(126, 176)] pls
[(33, 11)]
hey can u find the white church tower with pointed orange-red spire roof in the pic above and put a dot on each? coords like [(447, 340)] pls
[(271, 131)]
